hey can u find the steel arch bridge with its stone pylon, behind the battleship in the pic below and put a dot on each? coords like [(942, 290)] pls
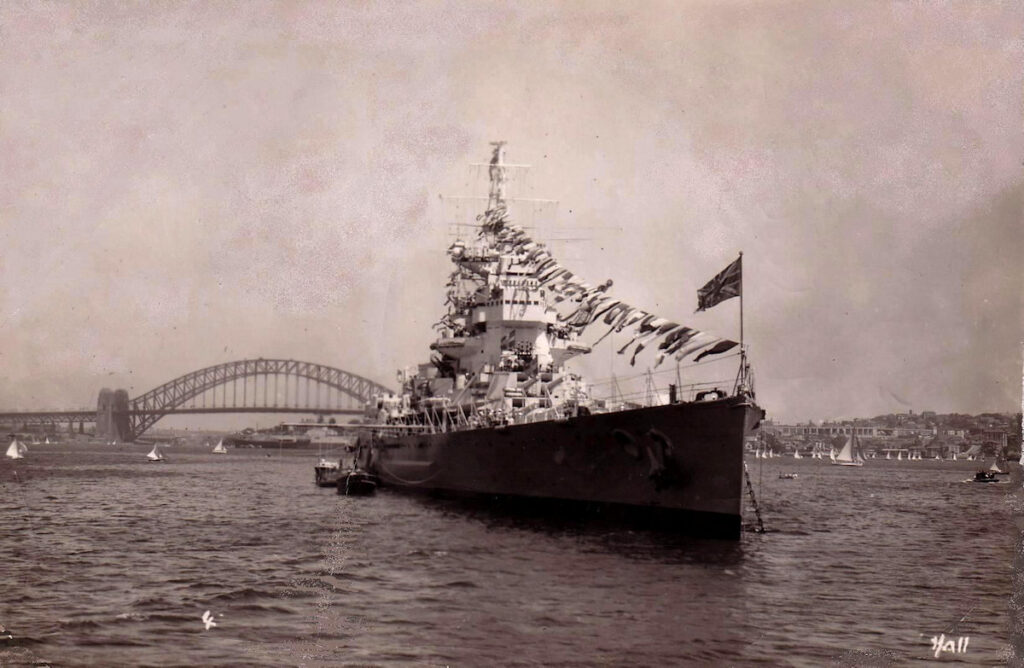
[(124, 420)]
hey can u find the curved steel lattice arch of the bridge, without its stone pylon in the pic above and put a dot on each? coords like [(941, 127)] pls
[(147, 409)]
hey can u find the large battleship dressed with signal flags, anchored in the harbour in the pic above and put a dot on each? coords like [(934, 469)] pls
[(499, 414)]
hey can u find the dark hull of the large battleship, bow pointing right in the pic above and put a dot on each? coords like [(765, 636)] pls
[(677, 467)]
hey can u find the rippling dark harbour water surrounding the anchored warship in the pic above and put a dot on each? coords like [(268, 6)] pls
[(109, 560)]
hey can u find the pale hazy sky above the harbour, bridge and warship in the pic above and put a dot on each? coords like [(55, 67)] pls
[(184, 185)]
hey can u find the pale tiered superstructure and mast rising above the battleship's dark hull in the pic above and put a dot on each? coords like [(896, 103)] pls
[(502, 348)]
